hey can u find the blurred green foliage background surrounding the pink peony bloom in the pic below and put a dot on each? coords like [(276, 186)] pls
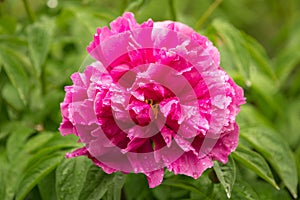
[(42, 44)]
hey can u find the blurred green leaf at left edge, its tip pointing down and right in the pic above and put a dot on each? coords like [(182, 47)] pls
[(14, 67)]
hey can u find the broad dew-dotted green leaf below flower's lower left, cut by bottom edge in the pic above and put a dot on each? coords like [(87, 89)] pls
[(70, 177)]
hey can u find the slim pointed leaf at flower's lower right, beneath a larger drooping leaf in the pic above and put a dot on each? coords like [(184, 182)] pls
[(256, 163)]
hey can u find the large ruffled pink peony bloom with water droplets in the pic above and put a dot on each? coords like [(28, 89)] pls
[(155, 97)]
